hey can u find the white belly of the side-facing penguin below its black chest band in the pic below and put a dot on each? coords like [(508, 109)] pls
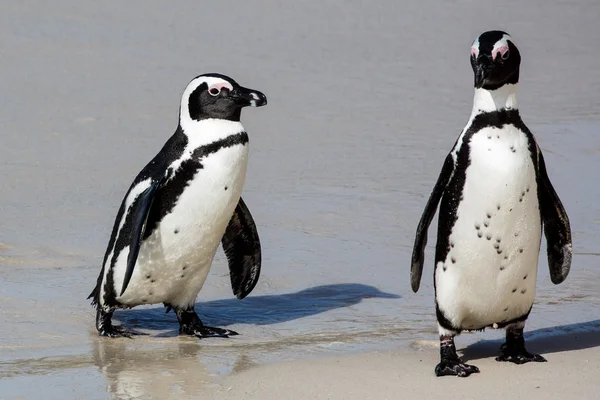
[(174, 261)]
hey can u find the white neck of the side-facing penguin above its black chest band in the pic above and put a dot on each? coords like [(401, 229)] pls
[(209, 130)]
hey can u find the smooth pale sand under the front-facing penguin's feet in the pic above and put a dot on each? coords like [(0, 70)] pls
[(408, 374)]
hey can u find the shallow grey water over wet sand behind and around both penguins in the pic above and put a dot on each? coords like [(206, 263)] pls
[(365, 100)]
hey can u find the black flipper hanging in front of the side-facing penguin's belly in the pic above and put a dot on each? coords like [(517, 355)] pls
[(242, 248)]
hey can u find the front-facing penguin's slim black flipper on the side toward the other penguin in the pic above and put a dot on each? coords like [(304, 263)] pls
[(418, 256)]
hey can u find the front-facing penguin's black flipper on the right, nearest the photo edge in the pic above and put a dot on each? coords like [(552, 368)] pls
[(556, 226)]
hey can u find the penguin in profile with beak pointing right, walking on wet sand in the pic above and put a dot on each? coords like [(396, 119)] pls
[(178, 209)]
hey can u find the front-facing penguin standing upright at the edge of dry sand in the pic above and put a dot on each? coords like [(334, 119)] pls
[(495, 196)]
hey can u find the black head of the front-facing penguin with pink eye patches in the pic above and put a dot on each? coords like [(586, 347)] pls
[(495, 60)]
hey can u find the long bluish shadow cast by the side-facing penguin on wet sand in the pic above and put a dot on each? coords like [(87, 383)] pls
[(261, 310)]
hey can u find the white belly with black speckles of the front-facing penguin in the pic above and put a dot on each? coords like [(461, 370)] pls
[(490, 272)]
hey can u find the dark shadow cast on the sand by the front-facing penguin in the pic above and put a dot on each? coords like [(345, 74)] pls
[(583, 335)]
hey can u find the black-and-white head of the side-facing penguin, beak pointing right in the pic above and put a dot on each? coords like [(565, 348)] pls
[(217, 96)]
